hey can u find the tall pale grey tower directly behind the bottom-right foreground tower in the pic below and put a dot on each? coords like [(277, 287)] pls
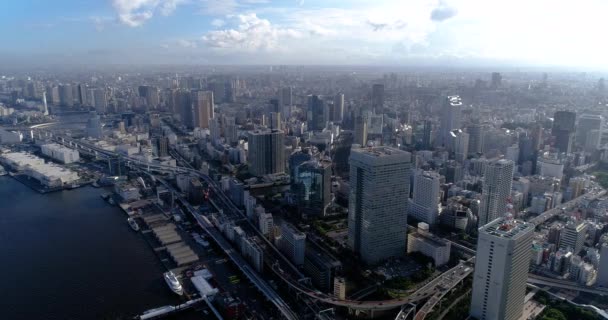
[(498, 177)]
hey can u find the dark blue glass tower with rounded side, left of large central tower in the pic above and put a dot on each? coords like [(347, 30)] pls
[(312, 187)]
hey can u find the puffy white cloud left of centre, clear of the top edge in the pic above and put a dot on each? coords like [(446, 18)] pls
[(251, 34)]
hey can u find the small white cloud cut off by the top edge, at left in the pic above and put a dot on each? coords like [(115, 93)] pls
[(134, 13)]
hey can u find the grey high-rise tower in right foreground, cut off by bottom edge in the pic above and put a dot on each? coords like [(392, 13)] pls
[(501, 269)]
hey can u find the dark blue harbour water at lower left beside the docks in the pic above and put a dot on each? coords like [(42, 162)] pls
[(70, 255)]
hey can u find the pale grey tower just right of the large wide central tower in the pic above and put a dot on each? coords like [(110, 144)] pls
[(424, 206)]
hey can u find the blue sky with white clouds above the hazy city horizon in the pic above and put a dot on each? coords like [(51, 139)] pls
[(564, 33)]
